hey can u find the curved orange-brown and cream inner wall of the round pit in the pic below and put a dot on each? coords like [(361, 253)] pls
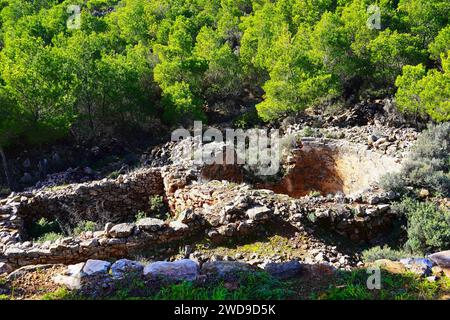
[(330, 166)]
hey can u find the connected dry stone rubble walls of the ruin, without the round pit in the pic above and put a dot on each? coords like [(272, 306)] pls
[(215, 209)]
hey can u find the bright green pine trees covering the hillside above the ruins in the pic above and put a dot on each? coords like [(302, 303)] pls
[(131, 60)]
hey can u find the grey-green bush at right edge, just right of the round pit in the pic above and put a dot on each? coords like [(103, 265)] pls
[(428, 165)]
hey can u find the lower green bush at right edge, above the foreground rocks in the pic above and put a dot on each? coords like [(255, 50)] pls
[(428, 226)]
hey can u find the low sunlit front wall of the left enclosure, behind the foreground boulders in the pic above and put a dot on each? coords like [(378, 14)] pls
[(116, 241)]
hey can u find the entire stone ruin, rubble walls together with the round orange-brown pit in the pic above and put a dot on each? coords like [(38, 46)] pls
[(213, 202)]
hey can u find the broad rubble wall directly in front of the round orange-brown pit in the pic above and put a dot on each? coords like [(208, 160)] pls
[(236, 207)]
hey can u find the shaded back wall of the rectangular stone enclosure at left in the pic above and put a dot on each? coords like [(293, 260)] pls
[(107, 200)]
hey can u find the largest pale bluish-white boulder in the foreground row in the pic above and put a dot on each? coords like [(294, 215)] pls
[(181, 270)]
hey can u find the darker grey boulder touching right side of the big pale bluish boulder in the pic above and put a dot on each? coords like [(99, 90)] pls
[(225, 269)]
